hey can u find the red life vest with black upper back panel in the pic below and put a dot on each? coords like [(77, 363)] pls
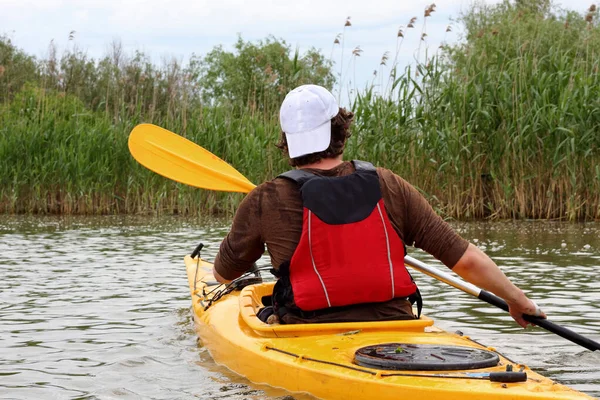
[(348, 253)]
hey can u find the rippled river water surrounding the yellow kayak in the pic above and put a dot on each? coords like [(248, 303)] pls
[(99, 308)]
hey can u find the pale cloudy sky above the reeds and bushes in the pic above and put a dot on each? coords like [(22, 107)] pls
[(177, 28)]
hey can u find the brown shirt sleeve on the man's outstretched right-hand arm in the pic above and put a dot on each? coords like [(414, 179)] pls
[(417, 222)]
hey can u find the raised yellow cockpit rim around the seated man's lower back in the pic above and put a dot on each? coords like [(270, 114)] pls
[(250, 302)]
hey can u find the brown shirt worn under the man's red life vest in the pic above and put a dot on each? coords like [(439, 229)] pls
[(271, 214)]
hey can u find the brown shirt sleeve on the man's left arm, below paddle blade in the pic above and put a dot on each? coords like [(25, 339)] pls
[(244, 244)]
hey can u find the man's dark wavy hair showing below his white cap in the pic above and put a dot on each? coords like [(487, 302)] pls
[(340, 132)]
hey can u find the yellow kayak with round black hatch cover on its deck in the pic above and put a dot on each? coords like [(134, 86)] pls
[(365, 360)]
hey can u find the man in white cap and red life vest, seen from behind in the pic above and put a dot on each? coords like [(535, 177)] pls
[(330, 225)]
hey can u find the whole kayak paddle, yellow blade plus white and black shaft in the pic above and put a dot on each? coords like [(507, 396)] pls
[(179, 159)]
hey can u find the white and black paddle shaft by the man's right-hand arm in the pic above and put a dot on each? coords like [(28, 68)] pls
[(498, 302)]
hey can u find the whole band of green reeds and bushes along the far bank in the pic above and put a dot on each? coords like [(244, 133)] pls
[(504, 124)]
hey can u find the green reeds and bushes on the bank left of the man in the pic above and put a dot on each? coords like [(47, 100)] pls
[(64, 125)]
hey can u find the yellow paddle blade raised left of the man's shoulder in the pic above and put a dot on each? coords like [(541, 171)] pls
[(177, 158)]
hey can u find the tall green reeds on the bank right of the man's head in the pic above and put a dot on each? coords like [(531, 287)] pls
[(505, 124)]
